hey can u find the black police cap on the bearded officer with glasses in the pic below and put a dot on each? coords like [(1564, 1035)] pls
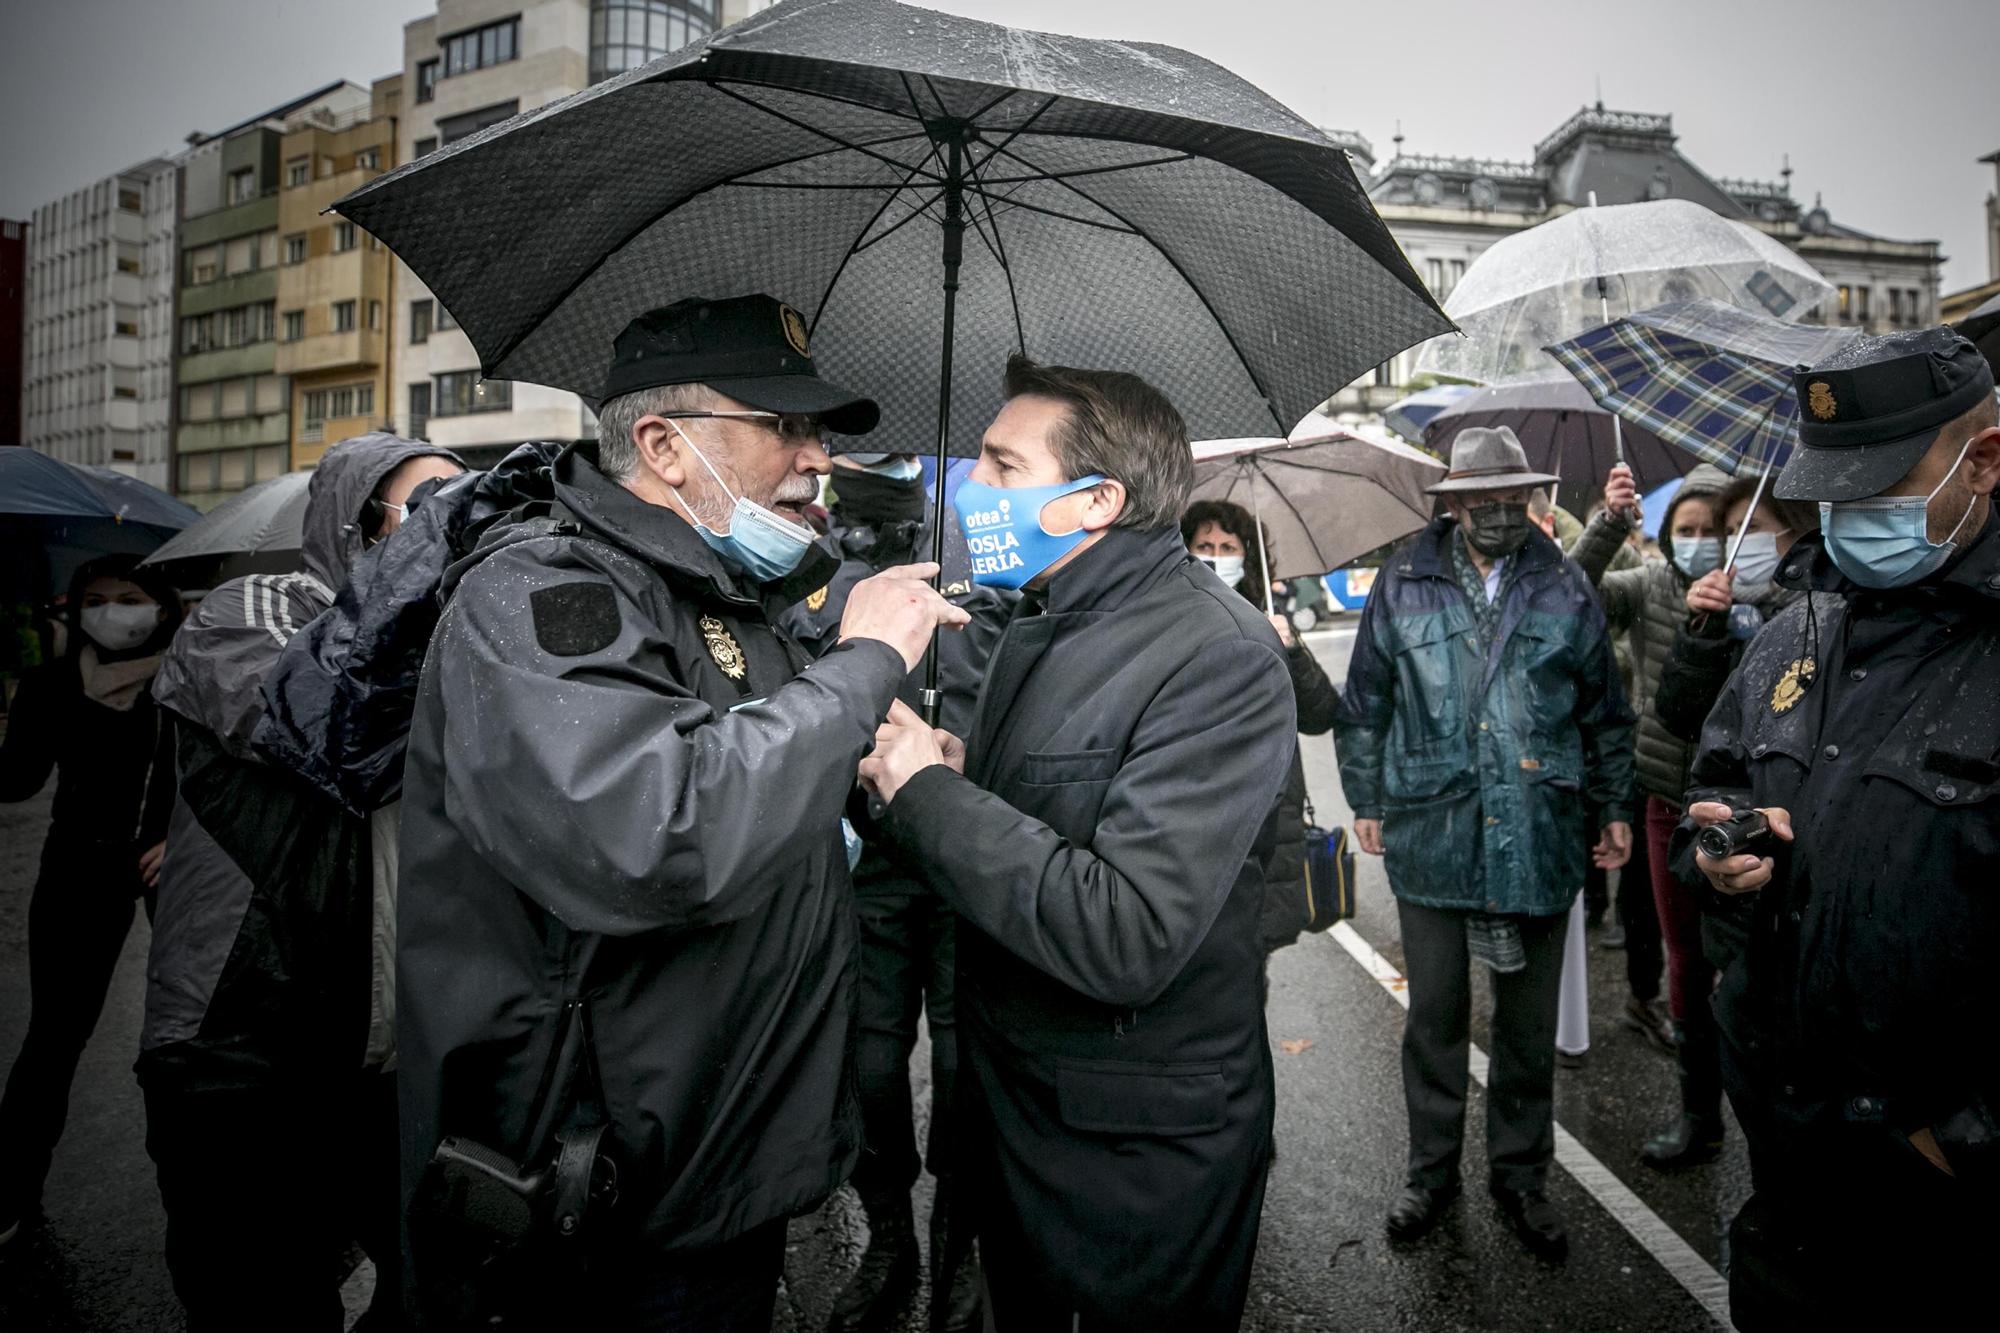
[(755, 349)]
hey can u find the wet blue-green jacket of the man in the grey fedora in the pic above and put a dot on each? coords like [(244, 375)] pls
[(1487, 772)]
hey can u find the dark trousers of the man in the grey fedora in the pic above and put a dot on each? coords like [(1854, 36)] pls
[(1521, 1122)]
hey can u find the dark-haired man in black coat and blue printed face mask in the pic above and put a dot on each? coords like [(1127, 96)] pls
[(1099, 838)]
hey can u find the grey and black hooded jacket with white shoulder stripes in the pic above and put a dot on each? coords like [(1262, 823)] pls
[(263, 944)]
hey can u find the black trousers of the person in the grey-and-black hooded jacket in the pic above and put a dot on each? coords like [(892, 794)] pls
[(265, 1190)]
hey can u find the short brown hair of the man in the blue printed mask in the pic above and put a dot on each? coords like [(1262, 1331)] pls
[(1117, 425)]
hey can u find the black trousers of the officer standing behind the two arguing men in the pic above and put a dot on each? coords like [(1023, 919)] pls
[(905, 972)]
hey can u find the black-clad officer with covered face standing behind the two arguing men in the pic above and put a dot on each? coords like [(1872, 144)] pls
[(907, 934)]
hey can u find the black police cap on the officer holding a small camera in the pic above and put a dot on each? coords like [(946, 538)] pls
[(1869, 411)]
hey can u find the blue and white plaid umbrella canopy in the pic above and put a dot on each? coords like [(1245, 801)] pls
[(1707, 377)]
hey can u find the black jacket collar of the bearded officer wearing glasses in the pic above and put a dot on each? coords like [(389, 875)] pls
[(667, 541)]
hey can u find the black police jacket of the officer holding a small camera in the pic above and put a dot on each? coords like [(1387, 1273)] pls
[(1865, 1004)]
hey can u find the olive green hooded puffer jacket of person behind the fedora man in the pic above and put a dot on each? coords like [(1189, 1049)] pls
[(1647, 605)]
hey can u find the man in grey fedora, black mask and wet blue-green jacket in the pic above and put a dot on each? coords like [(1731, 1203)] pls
[(1483, 738)]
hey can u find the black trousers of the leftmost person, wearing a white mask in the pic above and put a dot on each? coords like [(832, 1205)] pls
[(77, 928)]
